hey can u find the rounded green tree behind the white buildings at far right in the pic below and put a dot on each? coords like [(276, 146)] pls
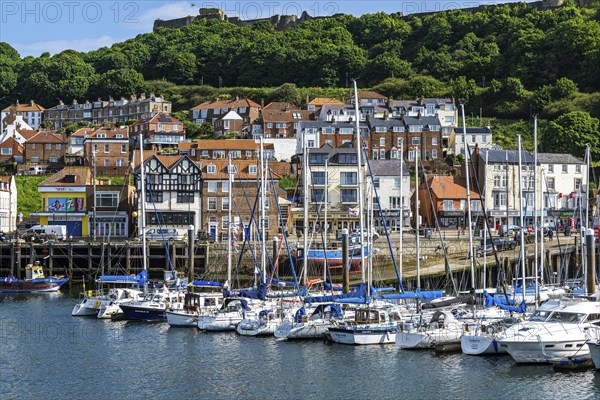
[(570, 133)]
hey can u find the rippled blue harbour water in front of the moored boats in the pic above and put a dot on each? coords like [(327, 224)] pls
[(47, 353)]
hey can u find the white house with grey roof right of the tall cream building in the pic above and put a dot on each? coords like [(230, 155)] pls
[(394, 203)]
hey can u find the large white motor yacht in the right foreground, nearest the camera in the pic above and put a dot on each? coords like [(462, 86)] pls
[(556, 330)]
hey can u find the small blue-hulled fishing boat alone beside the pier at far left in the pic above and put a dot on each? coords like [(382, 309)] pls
[(35, 281)]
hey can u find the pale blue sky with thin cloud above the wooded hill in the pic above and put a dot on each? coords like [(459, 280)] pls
[(33, 27)]
